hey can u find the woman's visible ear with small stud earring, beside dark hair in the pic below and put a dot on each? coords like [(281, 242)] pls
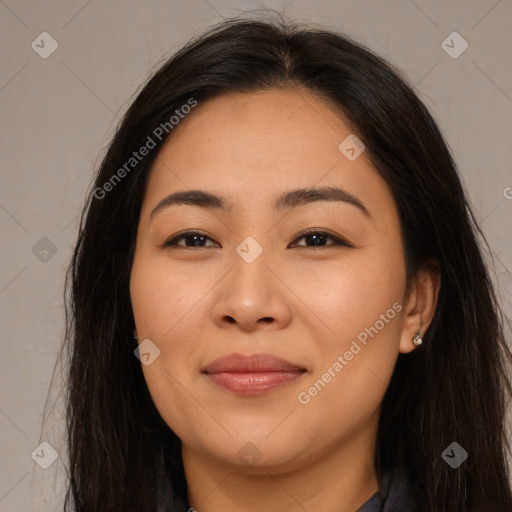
[(420, 305)]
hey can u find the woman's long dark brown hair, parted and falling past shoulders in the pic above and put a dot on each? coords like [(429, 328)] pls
[(455, 387)]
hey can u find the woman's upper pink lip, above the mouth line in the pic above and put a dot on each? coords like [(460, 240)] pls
[(238, 363)]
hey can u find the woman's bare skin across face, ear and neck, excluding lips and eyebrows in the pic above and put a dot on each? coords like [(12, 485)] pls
[(302, 303)]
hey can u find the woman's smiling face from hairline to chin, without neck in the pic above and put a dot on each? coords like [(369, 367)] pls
[(251, 284)]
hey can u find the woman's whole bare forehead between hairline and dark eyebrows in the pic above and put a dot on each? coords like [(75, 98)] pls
[(250, 146)]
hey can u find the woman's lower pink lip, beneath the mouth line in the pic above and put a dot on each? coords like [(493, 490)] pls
[(254, 383)]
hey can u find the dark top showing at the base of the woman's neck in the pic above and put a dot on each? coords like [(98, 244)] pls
[(397, 494)]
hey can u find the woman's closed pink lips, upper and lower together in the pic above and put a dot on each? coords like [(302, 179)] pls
[(252, 375)]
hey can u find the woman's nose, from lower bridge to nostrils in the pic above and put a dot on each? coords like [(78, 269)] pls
[(251, 296)]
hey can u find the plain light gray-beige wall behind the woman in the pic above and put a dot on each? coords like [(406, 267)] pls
[(58, 115)]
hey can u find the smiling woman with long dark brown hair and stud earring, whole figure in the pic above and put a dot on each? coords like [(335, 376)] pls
[(278, 299)]
